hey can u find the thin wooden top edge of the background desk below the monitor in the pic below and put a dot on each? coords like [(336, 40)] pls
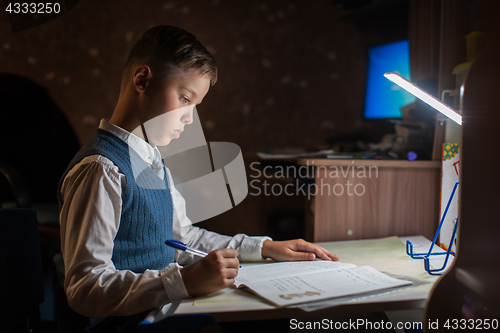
[(361, 162)]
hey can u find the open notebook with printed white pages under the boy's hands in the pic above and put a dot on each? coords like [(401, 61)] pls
[(288, 283)]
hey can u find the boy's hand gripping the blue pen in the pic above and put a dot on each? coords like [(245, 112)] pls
[(214, 272)]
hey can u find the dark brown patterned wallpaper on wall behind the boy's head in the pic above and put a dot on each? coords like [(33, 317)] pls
[(291, 73)]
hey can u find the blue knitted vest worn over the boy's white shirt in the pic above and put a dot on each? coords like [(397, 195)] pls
[(146, 219)]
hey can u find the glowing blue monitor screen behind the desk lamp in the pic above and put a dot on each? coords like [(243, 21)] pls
[(383, 99)]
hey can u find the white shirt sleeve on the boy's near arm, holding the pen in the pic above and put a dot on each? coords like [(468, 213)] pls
[(90, 217)]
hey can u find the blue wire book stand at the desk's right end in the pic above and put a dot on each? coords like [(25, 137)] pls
[(427, 255)]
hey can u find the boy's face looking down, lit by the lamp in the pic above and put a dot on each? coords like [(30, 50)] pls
[(170, 103)]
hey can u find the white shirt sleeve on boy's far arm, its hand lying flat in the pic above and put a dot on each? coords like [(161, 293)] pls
[(249, 248)]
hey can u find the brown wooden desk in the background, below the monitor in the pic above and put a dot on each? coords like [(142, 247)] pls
[(362, 199)]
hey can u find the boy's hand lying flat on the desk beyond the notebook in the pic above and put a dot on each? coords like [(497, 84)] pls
[(293, 250)]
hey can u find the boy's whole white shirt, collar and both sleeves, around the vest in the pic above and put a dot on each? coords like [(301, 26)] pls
[(90, 217)]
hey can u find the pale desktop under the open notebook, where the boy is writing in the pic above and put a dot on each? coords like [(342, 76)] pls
[(387, 255)]
